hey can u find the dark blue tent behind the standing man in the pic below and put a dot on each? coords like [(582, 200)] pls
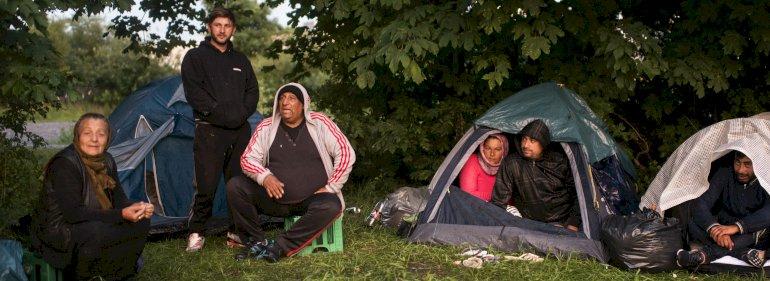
[(152, 143)]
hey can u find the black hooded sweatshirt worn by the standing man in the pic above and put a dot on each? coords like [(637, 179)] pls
[(220, 86)]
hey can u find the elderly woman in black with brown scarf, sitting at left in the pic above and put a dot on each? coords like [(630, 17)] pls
[(84, 223)]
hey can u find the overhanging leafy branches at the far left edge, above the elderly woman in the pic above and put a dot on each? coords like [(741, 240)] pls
[(34, 74)]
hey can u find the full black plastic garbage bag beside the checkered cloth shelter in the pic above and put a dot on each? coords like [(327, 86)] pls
[(642, 241)]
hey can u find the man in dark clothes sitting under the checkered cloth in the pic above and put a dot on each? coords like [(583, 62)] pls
[(730, 219)]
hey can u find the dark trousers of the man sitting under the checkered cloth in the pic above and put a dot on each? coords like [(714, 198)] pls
[(742, 242)]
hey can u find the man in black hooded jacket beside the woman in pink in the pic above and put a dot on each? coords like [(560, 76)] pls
[(538, 181)]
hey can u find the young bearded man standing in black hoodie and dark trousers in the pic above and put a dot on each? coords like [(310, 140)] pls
[(221, 87)]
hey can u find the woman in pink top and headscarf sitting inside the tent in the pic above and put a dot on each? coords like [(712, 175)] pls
[(478, 175)]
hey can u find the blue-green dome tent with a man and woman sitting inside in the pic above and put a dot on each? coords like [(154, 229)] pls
[(600, 168)]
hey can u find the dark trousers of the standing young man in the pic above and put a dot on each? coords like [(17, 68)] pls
[(216, 150)]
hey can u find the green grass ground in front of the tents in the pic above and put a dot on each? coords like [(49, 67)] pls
[(375, 253)]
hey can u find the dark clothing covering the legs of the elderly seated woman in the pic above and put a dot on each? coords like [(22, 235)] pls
[(106, 250)]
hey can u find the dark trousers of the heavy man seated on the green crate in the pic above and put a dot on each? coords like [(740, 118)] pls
[(248, 200)]
